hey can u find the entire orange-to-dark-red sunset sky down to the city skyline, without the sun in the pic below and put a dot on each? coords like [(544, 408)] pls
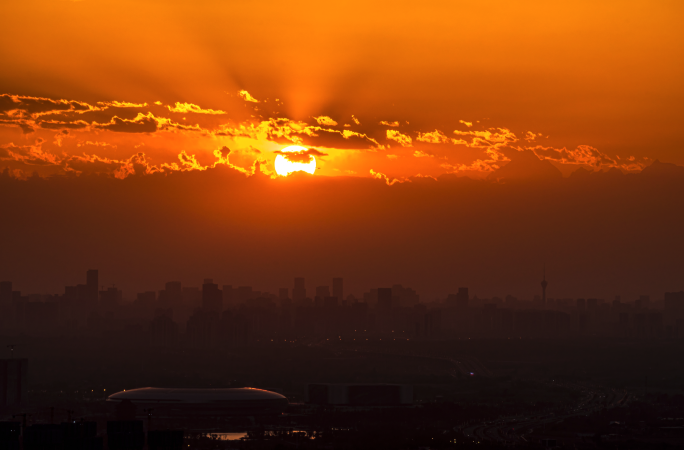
[(155, 126)]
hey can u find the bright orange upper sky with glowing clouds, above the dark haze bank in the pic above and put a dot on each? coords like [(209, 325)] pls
[(378, 87)]
